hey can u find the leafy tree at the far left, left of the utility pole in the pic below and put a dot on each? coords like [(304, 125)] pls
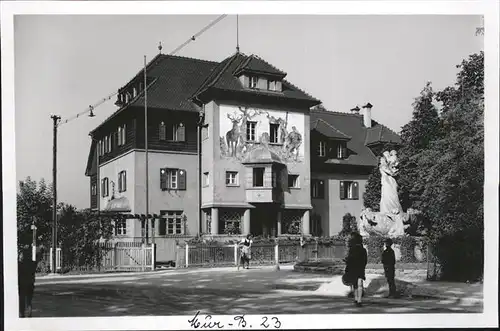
[(34, 206)]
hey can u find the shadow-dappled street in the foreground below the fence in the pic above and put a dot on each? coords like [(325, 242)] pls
[(254, 291)]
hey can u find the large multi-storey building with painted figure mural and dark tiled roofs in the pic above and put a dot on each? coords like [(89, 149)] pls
[(233, 148)]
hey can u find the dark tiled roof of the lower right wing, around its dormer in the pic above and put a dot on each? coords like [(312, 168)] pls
[(352, 125)]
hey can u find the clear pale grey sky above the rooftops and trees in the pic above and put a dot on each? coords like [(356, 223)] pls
[(65, 63)]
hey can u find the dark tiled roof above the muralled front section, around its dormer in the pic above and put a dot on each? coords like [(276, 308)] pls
[(223, 78)]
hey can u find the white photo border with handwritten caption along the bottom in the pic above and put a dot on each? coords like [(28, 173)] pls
[(489, 9)]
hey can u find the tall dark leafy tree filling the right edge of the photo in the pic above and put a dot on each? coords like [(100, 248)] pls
[(452, 175)]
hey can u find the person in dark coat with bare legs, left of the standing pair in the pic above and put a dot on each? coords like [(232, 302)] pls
[(355, 266)]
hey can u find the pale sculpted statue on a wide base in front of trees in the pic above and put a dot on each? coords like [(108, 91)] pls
[(390, 221)]
